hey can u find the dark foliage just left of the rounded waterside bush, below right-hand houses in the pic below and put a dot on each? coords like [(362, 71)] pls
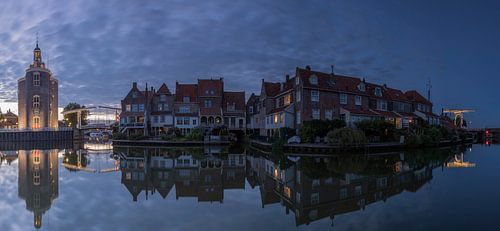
[(311, 129)]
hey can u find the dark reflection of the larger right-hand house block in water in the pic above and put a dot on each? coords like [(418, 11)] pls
[(318, 188)]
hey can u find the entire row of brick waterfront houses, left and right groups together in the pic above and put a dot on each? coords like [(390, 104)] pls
[(308, 95)]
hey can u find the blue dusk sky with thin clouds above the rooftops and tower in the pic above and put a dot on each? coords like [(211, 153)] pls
[(98, 48)]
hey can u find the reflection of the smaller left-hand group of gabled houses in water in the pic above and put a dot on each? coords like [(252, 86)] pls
[(194, 173)]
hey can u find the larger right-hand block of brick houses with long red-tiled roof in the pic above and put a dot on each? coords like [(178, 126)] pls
[(311, 95)]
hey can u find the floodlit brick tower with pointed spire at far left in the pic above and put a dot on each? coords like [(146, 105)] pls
[(38, 96)]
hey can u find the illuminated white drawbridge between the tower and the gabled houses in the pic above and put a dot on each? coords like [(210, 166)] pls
[(100, 117)]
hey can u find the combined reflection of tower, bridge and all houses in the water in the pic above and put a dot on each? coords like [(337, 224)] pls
[(312, 188)]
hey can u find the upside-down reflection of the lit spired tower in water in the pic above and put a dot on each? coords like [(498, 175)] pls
[(38, 181)]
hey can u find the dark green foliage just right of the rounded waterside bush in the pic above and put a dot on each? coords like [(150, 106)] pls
[(381, 129)]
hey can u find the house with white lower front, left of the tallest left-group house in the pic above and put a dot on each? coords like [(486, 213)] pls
[(186, 108)]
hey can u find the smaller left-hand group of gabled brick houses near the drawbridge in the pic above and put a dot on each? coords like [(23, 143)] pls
[(203, 104)]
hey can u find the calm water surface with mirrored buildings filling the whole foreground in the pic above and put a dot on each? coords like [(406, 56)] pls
[(101, 188)]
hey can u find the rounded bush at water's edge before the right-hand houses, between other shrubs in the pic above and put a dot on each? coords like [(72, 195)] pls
[(346, 137)]
